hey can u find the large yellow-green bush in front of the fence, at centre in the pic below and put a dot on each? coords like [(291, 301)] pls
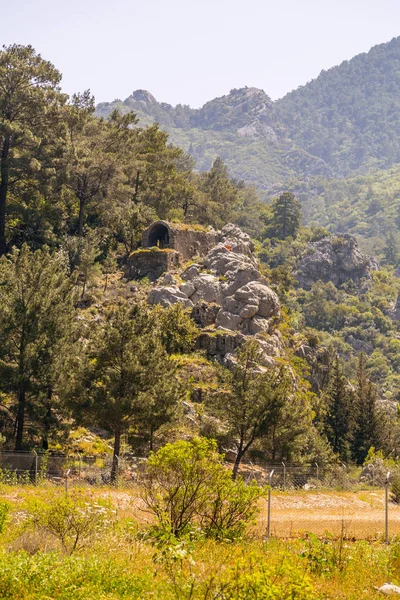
[(185, 484)]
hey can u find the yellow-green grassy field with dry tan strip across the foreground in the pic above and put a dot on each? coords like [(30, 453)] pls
[(123, 561)]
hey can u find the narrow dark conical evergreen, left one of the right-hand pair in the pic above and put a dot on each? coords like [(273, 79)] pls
[(338, 424)]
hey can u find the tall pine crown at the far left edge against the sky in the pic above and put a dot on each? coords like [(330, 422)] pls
[(30, 99)]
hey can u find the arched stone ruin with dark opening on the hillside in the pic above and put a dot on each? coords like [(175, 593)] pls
[(165, 246)]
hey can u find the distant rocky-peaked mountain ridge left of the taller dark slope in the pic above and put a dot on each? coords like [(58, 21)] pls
[(241, 127)]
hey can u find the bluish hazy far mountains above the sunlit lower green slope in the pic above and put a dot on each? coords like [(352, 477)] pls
[(345, 121)]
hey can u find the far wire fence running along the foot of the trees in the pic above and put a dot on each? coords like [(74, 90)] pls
[(32, 467)]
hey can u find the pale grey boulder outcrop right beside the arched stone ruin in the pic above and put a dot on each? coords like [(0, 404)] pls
[(228, 296)]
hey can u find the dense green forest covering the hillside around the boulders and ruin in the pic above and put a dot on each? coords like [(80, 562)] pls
[(81, 349)]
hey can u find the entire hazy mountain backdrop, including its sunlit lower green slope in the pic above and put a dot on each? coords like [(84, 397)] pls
[(335, 141)]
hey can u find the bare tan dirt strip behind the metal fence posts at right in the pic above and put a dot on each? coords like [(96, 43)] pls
[(356, 515)]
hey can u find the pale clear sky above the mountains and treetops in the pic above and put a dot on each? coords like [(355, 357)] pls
[(191, 51)]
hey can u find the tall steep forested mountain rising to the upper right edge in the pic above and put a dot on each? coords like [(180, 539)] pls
[(350, 115)]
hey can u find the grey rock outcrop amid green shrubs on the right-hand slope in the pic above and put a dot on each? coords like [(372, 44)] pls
[(336, 259)]
